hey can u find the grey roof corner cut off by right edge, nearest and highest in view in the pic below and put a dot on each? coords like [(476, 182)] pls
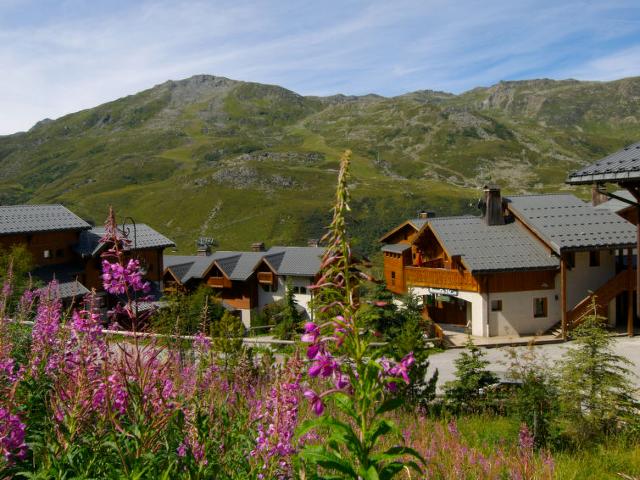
[(620, 166)]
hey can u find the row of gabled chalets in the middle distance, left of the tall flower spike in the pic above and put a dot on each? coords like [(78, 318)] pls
[(247, 281)]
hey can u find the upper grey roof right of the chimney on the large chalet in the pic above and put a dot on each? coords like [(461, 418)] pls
[(565, 222)]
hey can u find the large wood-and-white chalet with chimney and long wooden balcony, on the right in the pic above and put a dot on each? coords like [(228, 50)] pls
[(528, 263)]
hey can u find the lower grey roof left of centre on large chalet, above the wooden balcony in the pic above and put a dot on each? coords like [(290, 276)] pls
[(486, 248)]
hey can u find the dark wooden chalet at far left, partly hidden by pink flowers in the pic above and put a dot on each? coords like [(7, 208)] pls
[(66, 248)]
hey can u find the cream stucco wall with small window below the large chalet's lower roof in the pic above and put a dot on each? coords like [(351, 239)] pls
[(516, 316)]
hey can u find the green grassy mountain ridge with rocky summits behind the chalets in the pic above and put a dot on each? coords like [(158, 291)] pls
[(244, 162)]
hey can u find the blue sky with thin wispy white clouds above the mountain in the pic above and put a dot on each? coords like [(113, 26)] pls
[(61, 56)]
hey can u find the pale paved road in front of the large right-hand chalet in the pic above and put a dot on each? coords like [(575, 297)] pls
[(627, 347)]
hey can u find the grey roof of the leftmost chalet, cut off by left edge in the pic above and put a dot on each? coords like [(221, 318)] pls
[(38, 218)]
